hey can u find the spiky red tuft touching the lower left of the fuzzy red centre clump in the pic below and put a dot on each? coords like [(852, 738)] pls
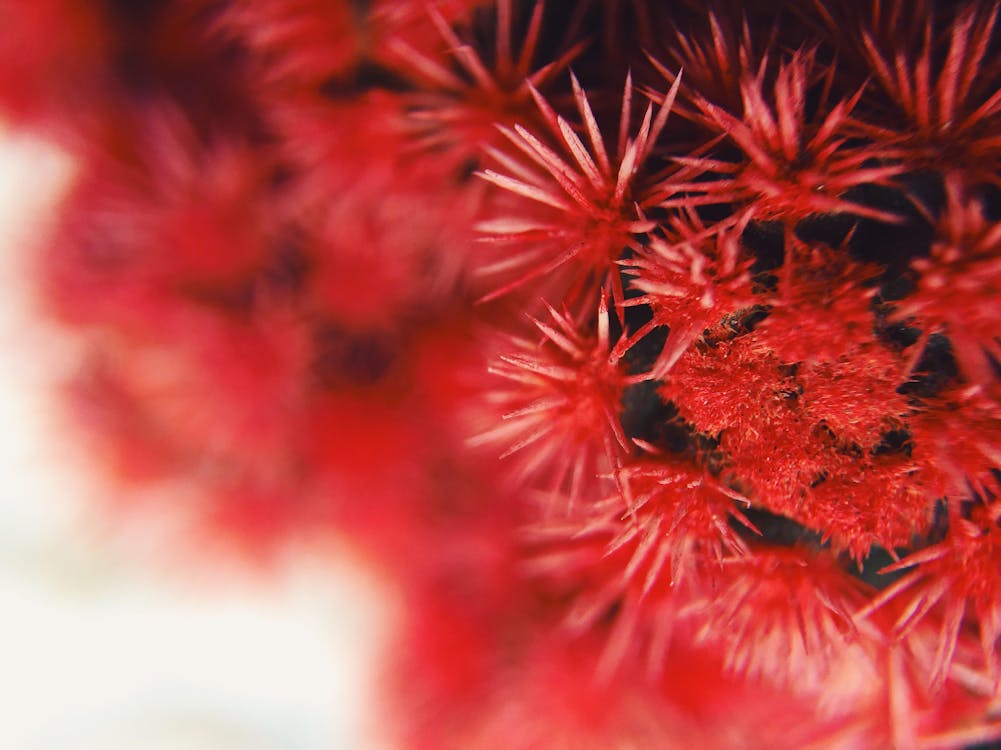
[(639, 555)]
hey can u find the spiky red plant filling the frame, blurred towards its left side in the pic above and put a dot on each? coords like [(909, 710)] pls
[(649, 350)]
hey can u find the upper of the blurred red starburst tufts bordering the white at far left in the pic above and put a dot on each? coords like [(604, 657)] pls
[(163, 232)]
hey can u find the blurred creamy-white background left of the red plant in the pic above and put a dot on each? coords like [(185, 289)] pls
[(103, 645)]
